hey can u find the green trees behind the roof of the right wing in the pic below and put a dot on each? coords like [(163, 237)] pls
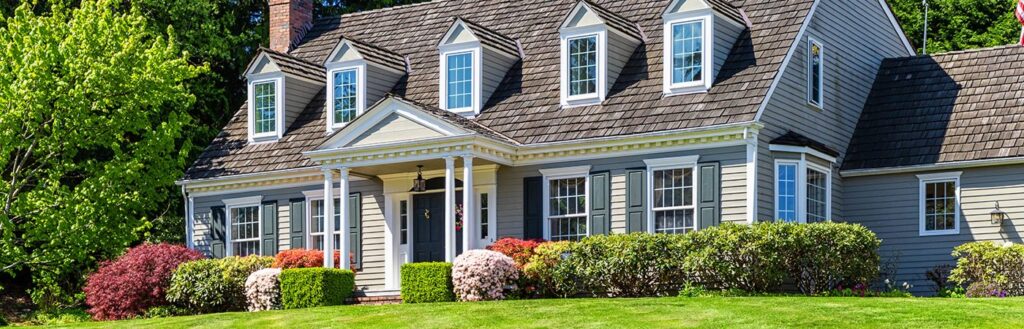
[(959, 25)]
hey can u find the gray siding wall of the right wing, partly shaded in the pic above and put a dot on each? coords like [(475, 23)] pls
[(889, 207)]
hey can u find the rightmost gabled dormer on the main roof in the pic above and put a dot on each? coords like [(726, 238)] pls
[(699, 36)]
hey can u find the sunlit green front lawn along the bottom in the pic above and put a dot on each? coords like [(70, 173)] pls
[(624, 313)]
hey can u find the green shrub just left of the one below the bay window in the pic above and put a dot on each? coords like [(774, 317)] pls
[(740, 257)]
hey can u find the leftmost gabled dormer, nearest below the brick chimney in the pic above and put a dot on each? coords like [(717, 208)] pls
[(280, 88)]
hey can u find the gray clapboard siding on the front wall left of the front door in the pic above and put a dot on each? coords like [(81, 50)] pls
[(371, 277)]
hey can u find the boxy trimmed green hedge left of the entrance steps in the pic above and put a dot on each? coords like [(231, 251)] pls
[(314, 287)]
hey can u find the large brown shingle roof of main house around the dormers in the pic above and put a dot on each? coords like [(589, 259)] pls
[(526, 107)]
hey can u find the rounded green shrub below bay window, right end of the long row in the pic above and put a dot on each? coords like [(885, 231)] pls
[(830, 255)]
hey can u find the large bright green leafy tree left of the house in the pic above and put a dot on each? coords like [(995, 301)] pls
[(93, 102)]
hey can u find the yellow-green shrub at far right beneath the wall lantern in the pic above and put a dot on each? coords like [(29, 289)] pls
[(991, 265)]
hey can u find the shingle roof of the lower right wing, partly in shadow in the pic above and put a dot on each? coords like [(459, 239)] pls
[(943, 108)]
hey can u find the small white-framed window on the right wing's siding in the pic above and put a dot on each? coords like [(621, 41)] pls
[(940, 203)]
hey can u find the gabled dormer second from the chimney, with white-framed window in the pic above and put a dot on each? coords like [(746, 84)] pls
[(359, 74)]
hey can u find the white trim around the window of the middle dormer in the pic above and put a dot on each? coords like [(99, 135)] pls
[(473, 48)]
